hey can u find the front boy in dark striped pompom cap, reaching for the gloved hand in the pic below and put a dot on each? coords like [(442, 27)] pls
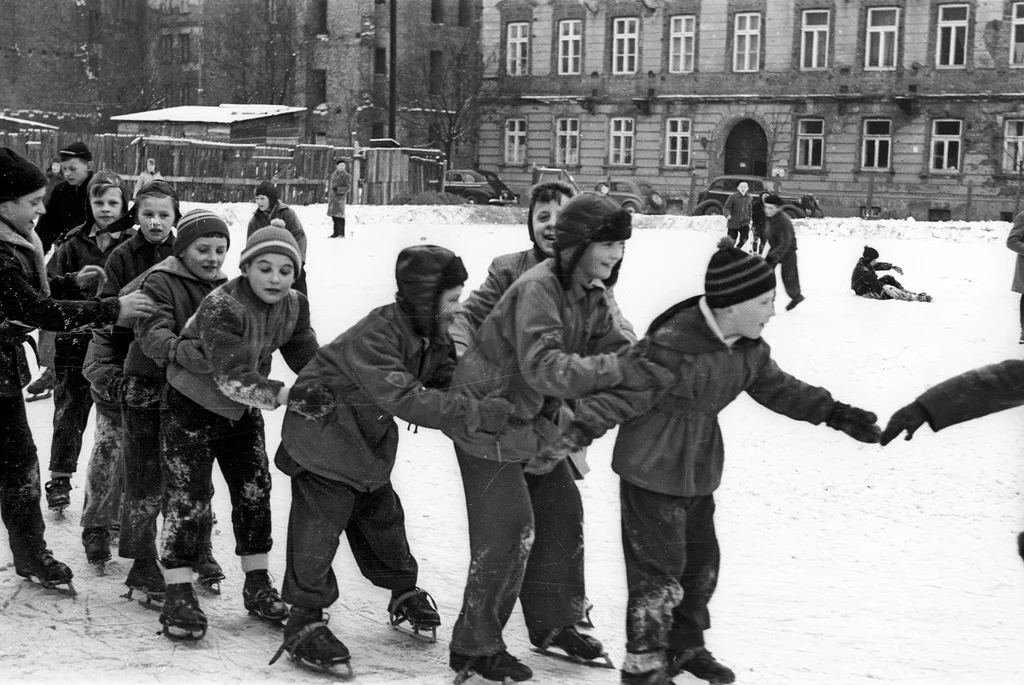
[(670, 458)]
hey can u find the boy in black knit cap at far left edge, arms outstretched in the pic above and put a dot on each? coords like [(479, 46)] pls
[(26, 304)]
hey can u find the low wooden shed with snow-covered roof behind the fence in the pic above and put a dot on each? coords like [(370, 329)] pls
[(255, 124)]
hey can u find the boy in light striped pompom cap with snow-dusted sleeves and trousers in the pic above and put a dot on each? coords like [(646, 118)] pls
[(215, 415)]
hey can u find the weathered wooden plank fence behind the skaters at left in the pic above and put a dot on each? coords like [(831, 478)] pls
[(205, 172)]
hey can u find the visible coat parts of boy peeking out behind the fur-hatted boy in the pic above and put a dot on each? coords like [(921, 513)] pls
[(503, 273)]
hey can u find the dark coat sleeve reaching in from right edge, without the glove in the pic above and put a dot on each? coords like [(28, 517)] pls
[(974, 395)]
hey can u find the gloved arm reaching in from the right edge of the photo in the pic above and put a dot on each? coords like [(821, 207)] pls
[(964, 398)]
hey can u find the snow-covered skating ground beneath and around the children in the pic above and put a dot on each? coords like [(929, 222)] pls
[(843, 564)]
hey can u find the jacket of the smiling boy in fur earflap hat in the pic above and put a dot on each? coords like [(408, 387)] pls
[(540, 347)]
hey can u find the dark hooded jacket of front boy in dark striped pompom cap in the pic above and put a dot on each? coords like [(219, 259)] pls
[(674, 445)]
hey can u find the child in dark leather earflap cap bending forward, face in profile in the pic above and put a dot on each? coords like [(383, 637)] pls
[(340, 450)]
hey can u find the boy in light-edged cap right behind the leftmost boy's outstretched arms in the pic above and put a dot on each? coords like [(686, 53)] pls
[(89, 245)]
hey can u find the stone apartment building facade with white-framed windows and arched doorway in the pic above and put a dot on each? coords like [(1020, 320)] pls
[(894, 108)]
